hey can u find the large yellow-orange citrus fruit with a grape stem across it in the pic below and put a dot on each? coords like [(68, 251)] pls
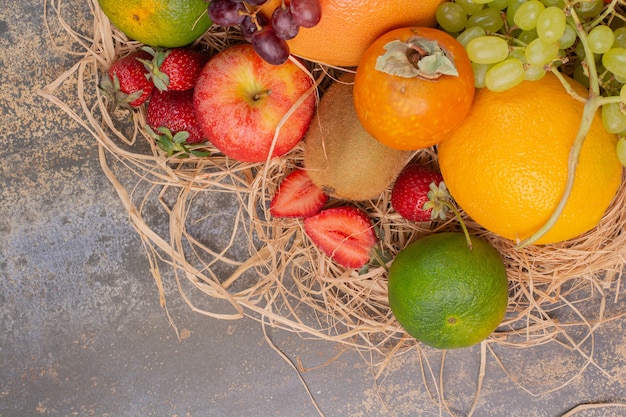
[(507, 164)]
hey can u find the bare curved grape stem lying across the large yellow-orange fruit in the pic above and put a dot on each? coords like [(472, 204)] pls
[(592, 103)]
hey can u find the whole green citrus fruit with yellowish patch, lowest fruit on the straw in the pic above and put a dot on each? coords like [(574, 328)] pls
[(446, 295)]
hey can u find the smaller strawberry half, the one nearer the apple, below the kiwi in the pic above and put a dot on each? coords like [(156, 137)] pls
[(297, 196)]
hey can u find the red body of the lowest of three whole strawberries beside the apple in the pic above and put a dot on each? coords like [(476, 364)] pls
[(174, 110)]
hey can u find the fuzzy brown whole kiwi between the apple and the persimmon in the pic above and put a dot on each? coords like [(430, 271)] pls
[(341, 157)]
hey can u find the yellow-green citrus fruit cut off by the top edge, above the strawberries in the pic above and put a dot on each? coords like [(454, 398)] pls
[(170, 24)]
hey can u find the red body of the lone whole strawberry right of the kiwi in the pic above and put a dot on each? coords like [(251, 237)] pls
[(410, 192)]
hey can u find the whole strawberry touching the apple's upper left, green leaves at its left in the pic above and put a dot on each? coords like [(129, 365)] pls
[(174, 69)]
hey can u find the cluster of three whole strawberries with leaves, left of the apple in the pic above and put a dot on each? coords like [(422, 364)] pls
[(162, 79)]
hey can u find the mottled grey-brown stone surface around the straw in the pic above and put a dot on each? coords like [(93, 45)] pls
[(83, 333)]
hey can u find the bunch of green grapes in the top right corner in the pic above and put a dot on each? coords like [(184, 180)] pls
[(509, 41)]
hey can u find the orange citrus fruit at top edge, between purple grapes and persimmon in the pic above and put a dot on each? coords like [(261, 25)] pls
[(348, 27)]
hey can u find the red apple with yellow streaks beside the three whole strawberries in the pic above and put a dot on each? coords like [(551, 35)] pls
[(240, 100)]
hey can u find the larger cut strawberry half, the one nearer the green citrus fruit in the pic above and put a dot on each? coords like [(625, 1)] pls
[(343, 233)]
